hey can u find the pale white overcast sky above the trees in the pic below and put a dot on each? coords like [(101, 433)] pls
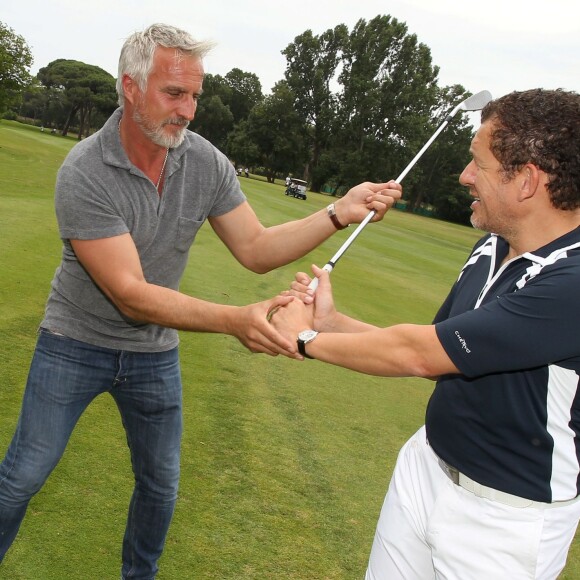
[(498, 45)]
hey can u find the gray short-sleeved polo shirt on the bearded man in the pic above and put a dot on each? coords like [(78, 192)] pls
[(101, 194)]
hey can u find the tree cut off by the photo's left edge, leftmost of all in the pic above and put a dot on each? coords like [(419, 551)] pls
[(15, 62)]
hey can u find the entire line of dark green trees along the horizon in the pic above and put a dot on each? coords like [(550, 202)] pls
[(353, 105)]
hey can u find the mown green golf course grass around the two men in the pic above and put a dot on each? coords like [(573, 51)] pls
[(285, 464)]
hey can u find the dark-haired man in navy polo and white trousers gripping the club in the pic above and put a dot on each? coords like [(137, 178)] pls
[(488, 489)]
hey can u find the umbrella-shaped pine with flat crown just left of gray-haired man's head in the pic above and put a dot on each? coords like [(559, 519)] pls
[(85, 88)]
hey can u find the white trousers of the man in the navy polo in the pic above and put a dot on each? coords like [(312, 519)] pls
[(430, 528)]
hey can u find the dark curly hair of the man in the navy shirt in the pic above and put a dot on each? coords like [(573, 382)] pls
[(541, 127)]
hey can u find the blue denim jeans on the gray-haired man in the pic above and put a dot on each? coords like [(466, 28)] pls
[(65, 376)]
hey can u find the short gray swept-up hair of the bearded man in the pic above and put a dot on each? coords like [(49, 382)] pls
[(136, 59)]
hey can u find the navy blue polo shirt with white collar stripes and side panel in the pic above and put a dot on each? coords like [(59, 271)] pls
[(511, 420)]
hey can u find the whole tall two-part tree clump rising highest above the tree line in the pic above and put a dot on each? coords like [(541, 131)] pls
[(366, 97)]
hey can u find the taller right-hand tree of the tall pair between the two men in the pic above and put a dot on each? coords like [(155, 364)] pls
[(389, 95)]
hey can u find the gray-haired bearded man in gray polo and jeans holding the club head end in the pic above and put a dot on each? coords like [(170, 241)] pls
[(130, 200)]
